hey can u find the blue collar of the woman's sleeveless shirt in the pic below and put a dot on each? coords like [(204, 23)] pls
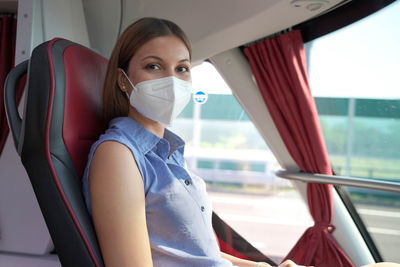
[(148, 140)]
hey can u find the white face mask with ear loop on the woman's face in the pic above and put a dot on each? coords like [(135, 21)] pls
[(161, 99)]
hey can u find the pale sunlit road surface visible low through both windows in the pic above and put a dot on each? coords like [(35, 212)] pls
[(273, 223)]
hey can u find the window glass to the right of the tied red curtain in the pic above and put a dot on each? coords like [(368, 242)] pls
[(354, 78)]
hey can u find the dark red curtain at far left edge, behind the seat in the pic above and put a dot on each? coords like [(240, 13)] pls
[(8, 29)]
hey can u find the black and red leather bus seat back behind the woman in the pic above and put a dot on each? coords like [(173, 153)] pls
[(62, 118)]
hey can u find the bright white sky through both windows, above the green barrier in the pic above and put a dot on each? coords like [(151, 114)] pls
[(361, 60)]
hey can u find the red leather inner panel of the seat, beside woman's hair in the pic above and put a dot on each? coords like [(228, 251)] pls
[(83, 113)]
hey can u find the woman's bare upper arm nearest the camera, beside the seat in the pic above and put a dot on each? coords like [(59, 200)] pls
[(118, 206)]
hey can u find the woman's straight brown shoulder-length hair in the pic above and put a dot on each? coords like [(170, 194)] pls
[(116, 103)]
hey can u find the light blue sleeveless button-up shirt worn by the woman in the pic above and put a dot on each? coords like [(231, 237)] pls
[(178, 212)]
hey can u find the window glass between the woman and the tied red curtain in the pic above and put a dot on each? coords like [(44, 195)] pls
[(226, 150)]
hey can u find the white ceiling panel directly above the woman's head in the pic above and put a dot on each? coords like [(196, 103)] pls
[(214, 26)]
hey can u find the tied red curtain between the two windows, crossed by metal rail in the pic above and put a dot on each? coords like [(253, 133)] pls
[(279, 67)]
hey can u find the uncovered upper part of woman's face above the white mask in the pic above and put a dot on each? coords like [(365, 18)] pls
[(158, 58)]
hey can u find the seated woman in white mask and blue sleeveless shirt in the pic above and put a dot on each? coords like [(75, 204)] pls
[(147, 207)]
